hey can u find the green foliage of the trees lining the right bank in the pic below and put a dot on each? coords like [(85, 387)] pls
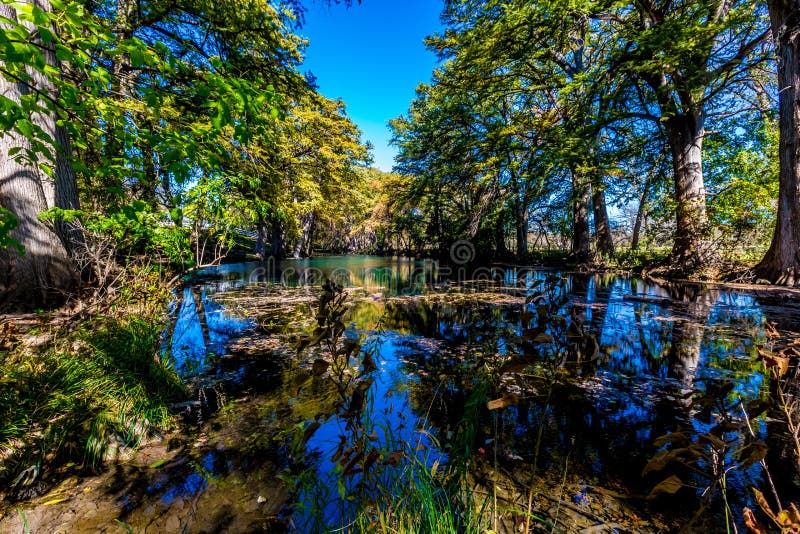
[(542, 113)]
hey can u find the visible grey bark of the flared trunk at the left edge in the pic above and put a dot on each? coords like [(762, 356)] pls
[(44, 274)]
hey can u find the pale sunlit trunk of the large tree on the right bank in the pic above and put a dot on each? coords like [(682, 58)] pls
[(691, 251)]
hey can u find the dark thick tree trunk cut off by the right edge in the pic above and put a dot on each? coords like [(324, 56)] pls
[(781, 264)]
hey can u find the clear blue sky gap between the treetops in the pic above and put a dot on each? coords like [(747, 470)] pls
[(372, 56)]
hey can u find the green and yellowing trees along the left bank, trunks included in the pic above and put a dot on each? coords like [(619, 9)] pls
[(160, 128)]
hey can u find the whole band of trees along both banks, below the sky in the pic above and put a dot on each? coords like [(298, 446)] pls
[(598, 131)]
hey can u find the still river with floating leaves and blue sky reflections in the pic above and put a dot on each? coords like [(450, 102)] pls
[(583, 398)]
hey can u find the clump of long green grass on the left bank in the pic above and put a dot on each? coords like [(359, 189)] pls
[(99, 385)]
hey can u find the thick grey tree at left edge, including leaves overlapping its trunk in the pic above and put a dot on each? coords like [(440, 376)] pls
[(40, 273)]
